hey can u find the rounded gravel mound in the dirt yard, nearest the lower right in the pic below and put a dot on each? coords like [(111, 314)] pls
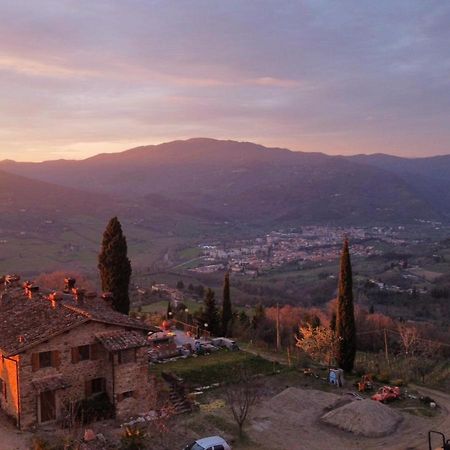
[(364, 418)]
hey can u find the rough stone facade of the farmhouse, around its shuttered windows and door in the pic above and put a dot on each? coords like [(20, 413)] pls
[(127, 377)]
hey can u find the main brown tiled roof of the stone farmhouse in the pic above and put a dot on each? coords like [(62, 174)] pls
[(26, 322)]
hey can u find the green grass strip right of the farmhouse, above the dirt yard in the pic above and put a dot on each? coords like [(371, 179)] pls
[(219, 367)]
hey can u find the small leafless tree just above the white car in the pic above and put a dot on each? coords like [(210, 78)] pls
[(242, 395)]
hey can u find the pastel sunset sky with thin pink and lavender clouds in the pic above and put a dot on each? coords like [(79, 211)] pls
[(81, 77)]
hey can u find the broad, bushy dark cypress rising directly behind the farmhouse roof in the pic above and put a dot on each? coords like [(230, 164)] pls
[(114, 266)]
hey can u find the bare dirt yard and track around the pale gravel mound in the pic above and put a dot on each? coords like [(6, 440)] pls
[(295, 424)]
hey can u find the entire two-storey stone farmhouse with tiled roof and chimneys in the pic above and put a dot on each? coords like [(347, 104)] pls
[(58, 348)]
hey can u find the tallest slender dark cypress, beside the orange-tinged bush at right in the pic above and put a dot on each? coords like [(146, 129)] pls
[(345, 317)]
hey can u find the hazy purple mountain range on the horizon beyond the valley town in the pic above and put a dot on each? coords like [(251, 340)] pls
[(249, 183)]
